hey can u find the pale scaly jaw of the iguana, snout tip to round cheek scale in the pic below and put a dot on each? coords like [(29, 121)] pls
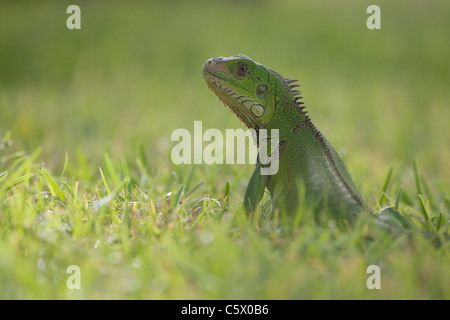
[(247, 110)]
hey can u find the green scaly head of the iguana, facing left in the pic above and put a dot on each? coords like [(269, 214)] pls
[(248, 88)]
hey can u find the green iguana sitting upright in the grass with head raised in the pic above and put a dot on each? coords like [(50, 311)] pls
[(263, 99)]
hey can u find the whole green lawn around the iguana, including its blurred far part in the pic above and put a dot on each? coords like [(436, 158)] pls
[(86, 177)]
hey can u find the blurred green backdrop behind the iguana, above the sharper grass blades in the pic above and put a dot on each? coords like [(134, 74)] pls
[(132, 75)]
